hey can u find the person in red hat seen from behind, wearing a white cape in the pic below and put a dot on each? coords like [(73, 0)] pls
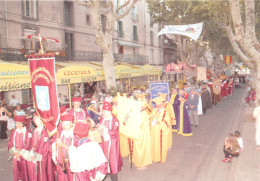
[(86, 158)]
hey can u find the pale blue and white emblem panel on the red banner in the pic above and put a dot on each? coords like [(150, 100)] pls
[(42, 97)]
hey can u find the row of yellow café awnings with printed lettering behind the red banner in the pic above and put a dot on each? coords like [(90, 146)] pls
[(15, 76)]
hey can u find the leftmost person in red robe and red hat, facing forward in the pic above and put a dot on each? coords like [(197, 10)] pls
[(19, 146)]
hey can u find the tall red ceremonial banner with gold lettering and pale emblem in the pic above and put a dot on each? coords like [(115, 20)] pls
[(44, 89)]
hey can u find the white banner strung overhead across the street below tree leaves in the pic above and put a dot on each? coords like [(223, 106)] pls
[(192, 30)]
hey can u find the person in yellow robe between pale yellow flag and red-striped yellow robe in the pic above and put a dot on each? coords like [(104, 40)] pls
[(142, 151)]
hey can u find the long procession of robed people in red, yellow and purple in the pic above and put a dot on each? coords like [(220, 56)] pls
[(88, 144)]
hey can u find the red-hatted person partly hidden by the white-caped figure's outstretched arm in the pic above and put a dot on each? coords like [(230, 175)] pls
[(60, 155)]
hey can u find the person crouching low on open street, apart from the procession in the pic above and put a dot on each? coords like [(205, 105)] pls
[(231, 148)]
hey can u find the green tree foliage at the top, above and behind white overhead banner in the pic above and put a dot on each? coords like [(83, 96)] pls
[(214, 14)]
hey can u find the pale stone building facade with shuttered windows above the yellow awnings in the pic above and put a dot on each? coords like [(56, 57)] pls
[(135, 39)]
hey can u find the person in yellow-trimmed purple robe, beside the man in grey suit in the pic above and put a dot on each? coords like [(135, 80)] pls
[(184, 126)]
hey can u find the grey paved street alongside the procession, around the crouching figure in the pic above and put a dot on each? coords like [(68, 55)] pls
[(196, 158)]
